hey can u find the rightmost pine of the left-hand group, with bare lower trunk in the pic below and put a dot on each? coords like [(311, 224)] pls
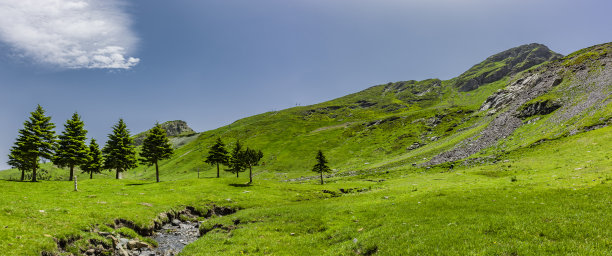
[(156, 147)]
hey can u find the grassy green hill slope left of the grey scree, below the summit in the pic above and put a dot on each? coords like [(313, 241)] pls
[(368, 128)]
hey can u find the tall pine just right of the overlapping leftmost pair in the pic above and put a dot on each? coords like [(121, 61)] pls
[(72, 150)]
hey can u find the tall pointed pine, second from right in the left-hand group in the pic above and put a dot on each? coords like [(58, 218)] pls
[(119, 152)]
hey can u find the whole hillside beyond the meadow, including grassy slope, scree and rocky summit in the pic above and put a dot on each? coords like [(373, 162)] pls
[(411, 122)]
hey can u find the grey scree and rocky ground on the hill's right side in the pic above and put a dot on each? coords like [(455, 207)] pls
[(587, 86)]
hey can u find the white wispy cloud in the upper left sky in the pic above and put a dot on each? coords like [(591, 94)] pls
[(69, 33)]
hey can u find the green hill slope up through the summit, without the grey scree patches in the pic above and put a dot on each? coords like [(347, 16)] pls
[(399, 123)]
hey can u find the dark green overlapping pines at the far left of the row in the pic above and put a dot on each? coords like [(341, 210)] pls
[(36, 141)]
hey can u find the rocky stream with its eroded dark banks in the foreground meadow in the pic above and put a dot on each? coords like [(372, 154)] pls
[(171, 232)]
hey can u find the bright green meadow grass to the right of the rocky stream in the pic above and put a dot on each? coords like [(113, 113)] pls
[(558, 205)]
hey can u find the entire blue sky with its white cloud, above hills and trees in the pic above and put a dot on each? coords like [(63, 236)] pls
[(213, 62)]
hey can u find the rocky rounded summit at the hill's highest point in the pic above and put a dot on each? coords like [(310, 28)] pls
[(503, 64)]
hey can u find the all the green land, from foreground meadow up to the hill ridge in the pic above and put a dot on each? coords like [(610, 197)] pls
[(516, 166)]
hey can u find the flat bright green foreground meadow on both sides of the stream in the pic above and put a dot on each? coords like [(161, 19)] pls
[(558, 204)]
